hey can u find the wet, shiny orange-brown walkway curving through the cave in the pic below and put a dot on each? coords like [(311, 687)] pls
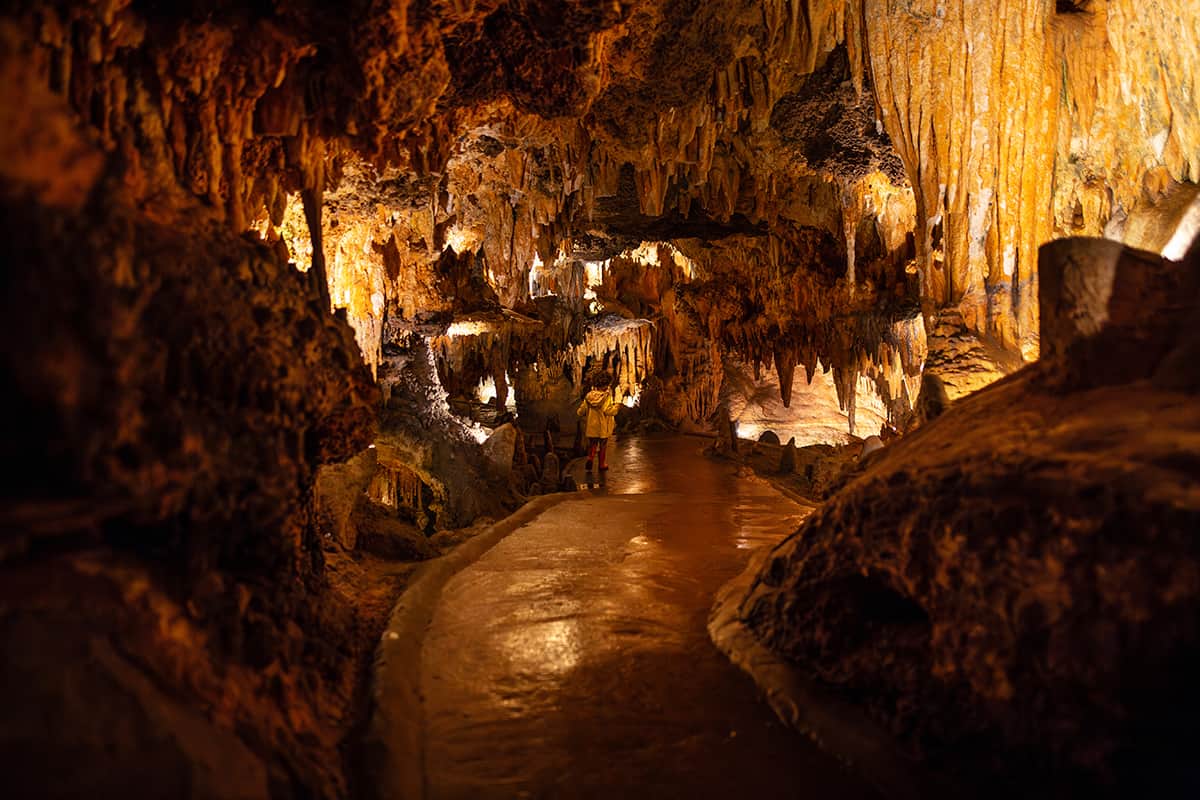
[(573, 660)]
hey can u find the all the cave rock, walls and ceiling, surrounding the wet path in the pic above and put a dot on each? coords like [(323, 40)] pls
[(302, 296)]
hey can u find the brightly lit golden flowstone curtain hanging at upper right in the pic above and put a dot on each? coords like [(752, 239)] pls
[(1003, 112)]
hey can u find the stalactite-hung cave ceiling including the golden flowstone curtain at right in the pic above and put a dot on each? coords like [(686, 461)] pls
[(827, 161)]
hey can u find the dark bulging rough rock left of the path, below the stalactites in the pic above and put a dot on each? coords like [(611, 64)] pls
[(173, 404)]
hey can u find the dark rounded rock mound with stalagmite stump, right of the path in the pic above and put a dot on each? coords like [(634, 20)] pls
[(1013, 590)]
